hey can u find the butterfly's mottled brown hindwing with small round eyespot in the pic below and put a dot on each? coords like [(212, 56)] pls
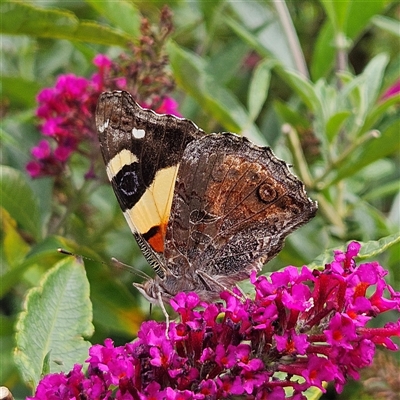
[(234, 204)]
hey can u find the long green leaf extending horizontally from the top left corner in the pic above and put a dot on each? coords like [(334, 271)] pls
[(24, 19)]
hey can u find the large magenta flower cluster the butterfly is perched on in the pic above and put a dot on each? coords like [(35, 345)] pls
[(308, 325)]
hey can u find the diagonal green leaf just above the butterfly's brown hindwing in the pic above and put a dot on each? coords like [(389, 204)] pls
[(190, 73)]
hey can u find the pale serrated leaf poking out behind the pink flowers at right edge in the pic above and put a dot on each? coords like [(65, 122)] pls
[(368, 250)]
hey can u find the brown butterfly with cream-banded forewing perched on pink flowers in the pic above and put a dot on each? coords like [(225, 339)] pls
[(205, 209)]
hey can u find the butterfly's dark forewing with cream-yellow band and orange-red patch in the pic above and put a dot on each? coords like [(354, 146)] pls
[(142, 151)]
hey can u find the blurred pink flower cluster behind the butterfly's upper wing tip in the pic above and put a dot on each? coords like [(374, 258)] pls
[(67, 114)]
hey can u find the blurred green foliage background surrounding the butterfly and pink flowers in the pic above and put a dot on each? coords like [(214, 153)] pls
[(305, 77)]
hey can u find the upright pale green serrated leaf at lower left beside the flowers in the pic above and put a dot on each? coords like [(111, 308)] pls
[(56, 318)]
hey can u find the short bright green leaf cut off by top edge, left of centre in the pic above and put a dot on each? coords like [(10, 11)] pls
[(121, 13)]
